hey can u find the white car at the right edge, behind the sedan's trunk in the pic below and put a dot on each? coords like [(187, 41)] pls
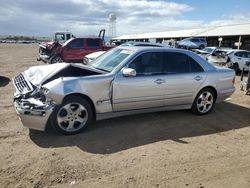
[(238, 59)]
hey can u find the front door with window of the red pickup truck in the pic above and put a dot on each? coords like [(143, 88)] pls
[(73, 52)]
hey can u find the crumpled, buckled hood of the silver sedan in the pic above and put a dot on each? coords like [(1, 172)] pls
[(37, 75)]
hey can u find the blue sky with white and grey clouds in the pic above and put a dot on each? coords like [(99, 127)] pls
[(87, 17)]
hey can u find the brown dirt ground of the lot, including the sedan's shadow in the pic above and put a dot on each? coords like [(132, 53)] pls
[(166, 149)]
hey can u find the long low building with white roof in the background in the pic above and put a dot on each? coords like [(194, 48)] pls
[(231, 35)]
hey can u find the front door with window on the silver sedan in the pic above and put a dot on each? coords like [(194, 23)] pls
[(145, 90)]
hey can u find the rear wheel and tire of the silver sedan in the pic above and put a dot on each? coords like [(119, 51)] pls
[(203, 102)]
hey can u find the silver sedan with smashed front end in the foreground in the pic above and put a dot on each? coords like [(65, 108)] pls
[(122, 81)]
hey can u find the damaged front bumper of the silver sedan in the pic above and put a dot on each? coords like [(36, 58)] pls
[(33, 113)]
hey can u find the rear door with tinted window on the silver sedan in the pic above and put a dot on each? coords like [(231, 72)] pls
[(183, 78)]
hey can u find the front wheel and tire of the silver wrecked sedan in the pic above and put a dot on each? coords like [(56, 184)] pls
[(72, 116)]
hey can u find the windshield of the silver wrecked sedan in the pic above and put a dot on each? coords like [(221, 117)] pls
[(111, 59)]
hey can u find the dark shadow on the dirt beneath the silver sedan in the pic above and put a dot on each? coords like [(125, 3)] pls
[(118, 134)]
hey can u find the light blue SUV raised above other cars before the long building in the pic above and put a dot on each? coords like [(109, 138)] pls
[(192, 43)]
